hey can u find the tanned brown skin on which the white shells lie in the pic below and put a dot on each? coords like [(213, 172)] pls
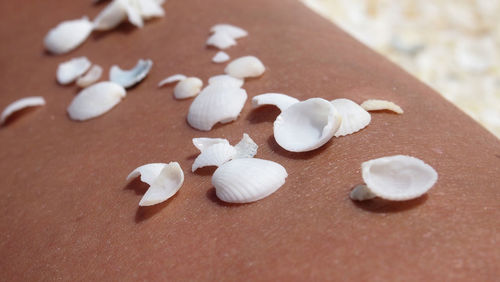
[(68, 213)]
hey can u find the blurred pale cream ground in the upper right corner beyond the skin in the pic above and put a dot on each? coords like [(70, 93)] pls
[(452, 45)]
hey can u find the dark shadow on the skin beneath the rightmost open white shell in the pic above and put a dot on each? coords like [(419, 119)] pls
[(378, 205)]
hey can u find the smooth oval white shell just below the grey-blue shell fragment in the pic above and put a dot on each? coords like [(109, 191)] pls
[(95, 100)]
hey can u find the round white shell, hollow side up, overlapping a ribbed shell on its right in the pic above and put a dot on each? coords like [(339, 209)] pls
[(306, 125)]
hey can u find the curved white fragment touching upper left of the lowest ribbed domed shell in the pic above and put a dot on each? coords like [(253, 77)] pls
[(214, 155)]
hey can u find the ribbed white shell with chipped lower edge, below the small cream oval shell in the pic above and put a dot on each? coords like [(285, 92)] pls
[(216, 104)]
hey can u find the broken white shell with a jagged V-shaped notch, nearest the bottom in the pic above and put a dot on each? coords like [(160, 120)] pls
[(164, 180)]
